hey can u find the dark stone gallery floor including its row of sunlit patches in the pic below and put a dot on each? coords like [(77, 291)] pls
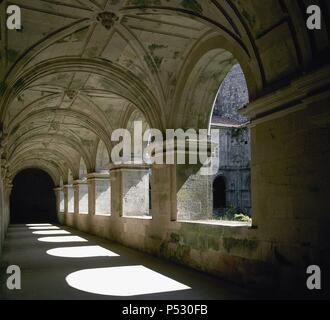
[(107, 270)]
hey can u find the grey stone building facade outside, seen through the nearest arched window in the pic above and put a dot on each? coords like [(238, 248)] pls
[(232, 183)]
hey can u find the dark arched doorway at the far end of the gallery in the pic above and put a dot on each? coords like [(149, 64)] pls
[(32, 199)]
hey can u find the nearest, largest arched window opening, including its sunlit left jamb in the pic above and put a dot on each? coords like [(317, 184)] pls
[(225, 194)]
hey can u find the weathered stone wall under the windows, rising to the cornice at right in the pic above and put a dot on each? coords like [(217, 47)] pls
[(291, 212)]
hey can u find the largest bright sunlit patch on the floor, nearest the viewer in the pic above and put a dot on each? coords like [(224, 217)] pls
[(123, 281)]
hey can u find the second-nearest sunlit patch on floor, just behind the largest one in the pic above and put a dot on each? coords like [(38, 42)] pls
[(82, 252)]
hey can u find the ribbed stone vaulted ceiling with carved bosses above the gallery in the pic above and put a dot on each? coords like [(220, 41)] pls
[(78, 69)]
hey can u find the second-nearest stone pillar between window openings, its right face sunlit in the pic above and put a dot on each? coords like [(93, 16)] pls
[(131, 189)]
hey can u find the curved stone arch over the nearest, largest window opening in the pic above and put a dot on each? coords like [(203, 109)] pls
[(209, 63)]
